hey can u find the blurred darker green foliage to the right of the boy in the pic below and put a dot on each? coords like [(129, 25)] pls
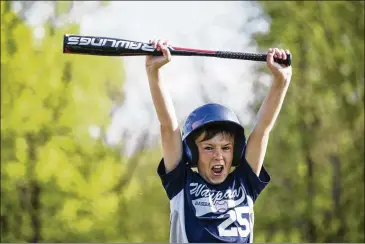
[(316, 150)]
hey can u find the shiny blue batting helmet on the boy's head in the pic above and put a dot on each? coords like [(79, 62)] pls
[(210, 114)]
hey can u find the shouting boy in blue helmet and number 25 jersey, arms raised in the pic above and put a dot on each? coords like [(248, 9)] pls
[(216, 203)]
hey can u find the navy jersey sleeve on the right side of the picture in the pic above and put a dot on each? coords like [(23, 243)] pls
[(254, 184)]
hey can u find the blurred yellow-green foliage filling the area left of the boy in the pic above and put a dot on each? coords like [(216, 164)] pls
[(58, 184)]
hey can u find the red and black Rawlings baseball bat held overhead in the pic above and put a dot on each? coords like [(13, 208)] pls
[(107, 46)]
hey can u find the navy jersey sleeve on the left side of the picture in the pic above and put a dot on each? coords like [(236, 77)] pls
[(173, 181)]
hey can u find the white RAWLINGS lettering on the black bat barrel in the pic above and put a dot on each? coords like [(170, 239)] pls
[(94, 41)]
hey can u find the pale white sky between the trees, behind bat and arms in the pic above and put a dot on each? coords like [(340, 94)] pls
[(215, 25)]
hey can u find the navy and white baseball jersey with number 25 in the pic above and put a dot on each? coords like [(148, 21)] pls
[(203, 212)]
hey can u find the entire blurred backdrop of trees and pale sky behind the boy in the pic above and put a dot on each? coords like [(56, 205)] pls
[(80, 139)]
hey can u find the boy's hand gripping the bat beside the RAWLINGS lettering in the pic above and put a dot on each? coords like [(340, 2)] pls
[(153, 63)]
